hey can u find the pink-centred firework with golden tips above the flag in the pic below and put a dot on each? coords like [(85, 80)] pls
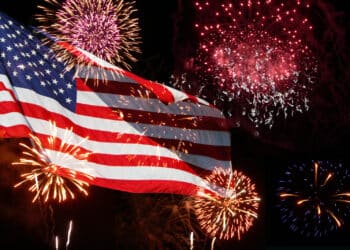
[(104, 28)]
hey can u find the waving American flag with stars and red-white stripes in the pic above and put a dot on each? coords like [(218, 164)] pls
[(143, 136)]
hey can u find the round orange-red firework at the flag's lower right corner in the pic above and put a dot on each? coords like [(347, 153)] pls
[(231, 211)]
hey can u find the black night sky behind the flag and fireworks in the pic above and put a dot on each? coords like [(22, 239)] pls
[(110, 219)]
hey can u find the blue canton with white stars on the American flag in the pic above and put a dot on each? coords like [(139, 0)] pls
[(31, 65)]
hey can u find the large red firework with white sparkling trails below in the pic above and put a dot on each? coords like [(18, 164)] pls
[(254, 54)]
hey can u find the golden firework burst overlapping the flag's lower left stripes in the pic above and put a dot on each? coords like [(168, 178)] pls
[(47, 179)]
